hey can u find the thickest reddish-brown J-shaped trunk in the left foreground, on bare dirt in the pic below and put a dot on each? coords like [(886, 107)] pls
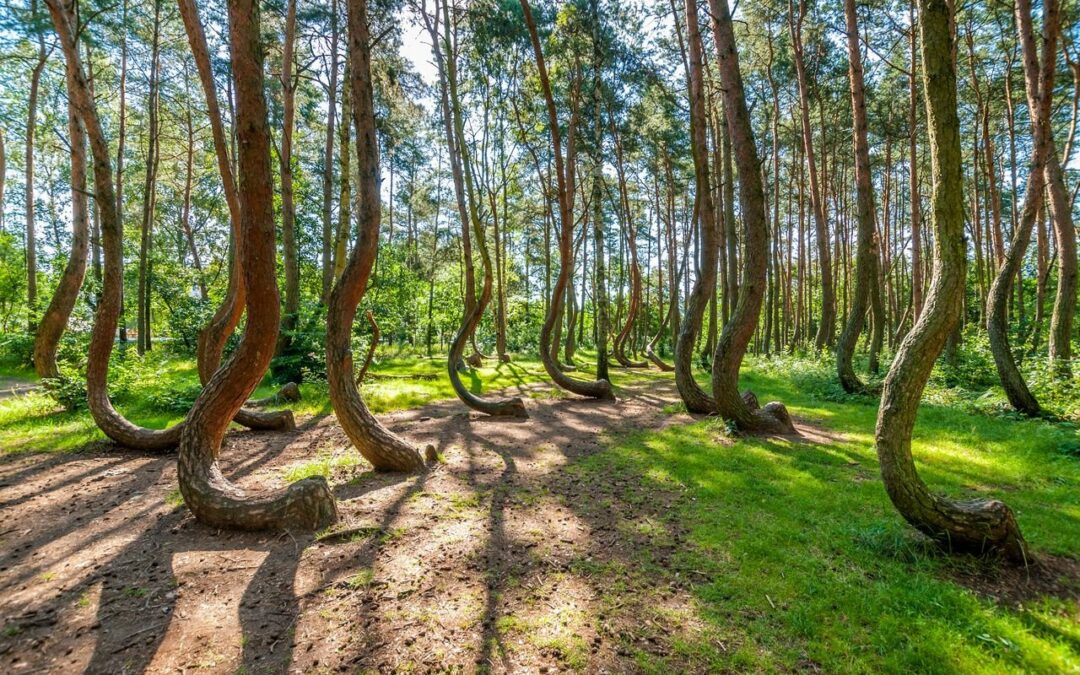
[(213, 499)]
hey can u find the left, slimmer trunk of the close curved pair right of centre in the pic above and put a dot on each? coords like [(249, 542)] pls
[(705, 288)]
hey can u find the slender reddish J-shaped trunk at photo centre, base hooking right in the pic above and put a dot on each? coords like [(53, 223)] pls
[(598, 389)]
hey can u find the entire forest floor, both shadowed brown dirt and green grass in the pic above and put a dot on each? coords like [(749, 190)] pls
[(593, 536)]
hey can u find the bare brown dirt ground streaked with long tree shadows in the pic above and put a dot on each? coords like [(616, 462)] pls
[(481, 564)]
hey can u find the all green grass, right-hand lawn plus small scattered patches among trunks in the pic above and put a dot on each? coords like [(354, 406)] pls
[(792, 553)]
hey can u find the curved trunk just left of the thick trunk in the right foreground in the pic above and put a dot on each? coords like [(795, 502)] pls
[(867, 256)]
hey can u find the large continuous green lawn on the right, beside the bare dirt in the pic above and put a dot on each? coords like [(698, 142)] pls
[(800, 559)]
